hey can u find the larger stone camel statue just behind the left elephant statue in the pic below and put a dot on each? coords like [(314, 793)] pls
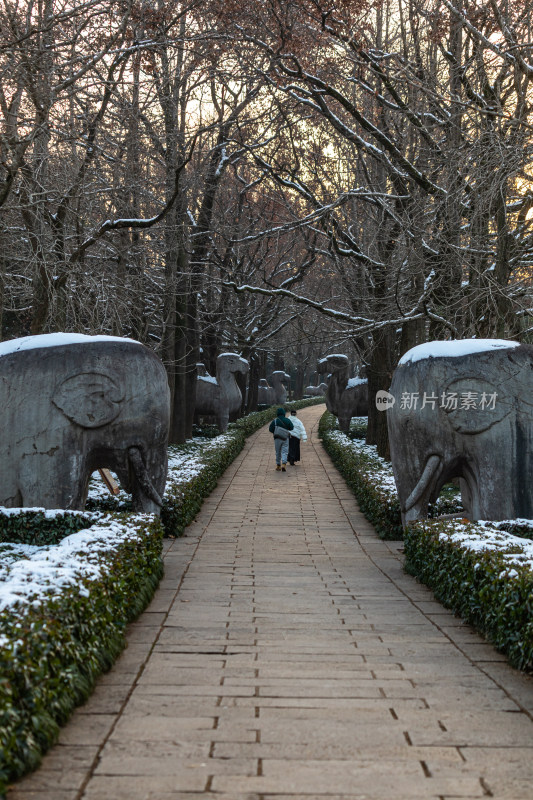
[(221, 396)]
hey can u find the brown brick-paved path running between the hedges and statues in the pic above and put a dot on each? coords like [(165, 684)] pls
[(287, 656)]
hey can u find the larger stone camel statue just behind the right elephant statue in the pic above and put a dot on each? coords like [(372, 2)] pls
[(345, 397)]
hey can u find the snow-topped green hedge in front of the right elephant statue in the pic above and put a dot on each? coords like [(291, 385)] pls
[(483, 575)]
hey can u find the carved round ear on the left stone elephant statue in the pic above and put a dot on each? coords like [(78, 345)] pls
[(89, 399)]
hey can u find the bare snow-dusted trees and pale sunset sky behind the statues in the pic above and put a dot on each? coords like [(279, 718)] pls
[(281, 179)]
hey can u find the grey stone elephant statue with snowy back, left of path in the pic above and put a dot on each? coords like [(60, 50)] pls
[(72, 404)]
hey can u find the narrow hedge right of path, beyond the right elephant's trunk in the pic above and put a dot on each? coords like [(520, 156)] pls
[(358, 470)]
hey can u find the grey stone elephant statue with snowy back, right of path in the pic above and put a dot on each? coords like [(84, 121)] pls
[(464, 410)]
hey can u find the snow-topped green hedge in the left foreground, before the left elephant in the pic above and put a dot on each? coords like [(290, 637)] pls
[(56, 642)]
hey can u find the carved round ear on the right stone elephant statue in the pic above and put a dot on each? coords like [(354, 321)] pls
[(474, 405)]
